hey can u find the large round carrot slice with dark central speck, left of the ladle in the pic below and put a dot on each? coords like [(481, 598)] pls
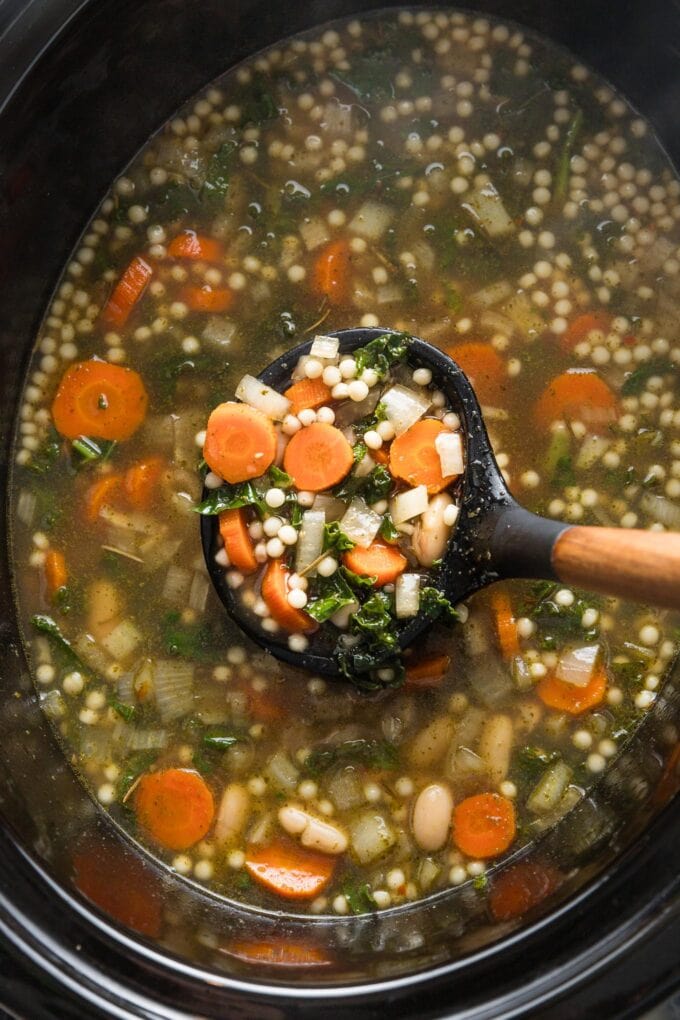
[(100, 400)]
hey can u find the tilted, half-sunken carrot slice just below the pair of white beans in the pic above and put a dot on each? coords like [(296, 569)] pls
[(290, 872)]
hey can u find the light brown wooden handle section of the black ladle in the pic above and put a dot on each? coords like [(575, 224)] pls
[(644, 567)]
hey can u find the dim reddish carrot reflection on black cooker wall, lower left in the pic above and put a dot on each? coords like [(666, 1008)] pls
[(122, 886)]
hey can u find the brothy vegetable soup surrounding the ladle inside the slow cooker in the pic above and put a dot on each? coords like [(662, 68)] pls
[(437, 174)]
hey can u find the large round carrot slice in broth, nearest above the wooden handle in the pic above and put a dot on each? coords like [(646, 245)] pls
[(579, 394)]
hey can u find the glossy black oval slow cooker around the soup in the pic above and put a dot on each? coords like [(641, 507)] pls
[(82, 86)]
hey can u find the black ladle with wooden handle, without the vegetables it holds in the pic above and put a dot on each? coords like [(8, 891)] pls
[(494, 538)]
